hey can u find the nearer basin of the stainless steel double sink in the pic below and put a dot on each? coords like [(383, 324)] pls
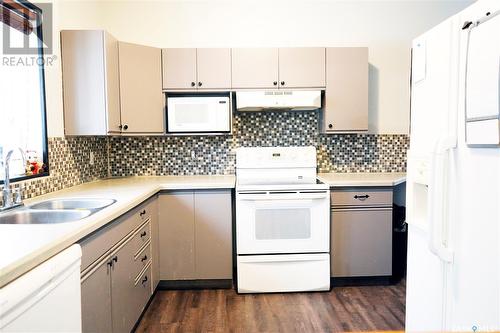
[(28, 216)]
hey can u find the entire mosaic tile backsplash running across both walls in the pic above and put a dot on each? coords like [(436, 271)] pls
[(193, 155)]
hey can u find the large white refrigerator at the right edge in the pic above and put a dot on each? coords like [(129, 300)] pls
[(453, 189)]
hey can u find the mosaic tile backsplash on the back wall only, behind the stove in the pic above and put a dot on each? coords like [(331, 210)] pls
[(191, 155)]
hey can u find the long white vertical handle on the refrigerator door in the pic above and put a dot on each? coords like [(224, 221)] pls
[(437, 199)]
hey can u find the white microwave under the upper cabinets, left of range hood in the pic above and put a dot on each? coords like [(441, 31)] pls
[(198, 113)]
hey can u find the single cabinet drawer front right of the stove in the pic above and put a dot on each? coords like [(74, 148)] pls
[(360, 196)]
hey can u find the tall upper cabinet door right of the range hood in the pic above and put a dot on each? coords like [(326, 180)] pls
[(346, 96)]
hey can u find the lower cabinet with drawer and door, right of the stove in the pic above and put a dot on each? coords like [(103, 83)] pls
[(361, 232)]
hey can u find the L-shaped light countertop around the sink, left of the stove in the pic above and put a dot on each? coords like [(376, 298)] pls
[(24, 246)]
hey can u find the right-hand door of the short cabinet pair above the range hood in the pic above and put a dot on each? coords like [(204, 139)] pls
[(301, 67)]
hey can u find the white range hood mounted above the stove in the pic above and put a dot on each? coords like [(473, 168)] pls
[(295, 100)]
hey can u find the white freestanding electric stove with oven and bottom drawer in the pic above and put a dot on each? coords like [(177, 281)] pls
[(282, 221)]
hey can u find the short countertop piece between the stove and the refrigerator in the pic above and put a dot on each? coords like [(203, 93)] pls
[(337, 179)]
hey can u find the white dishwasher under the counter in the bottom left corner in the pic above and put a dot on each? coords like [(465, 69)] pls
[(46, 299)]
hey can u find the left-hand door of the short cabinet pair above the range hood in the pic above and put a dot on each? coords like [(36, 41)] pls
[(254, 68)]
